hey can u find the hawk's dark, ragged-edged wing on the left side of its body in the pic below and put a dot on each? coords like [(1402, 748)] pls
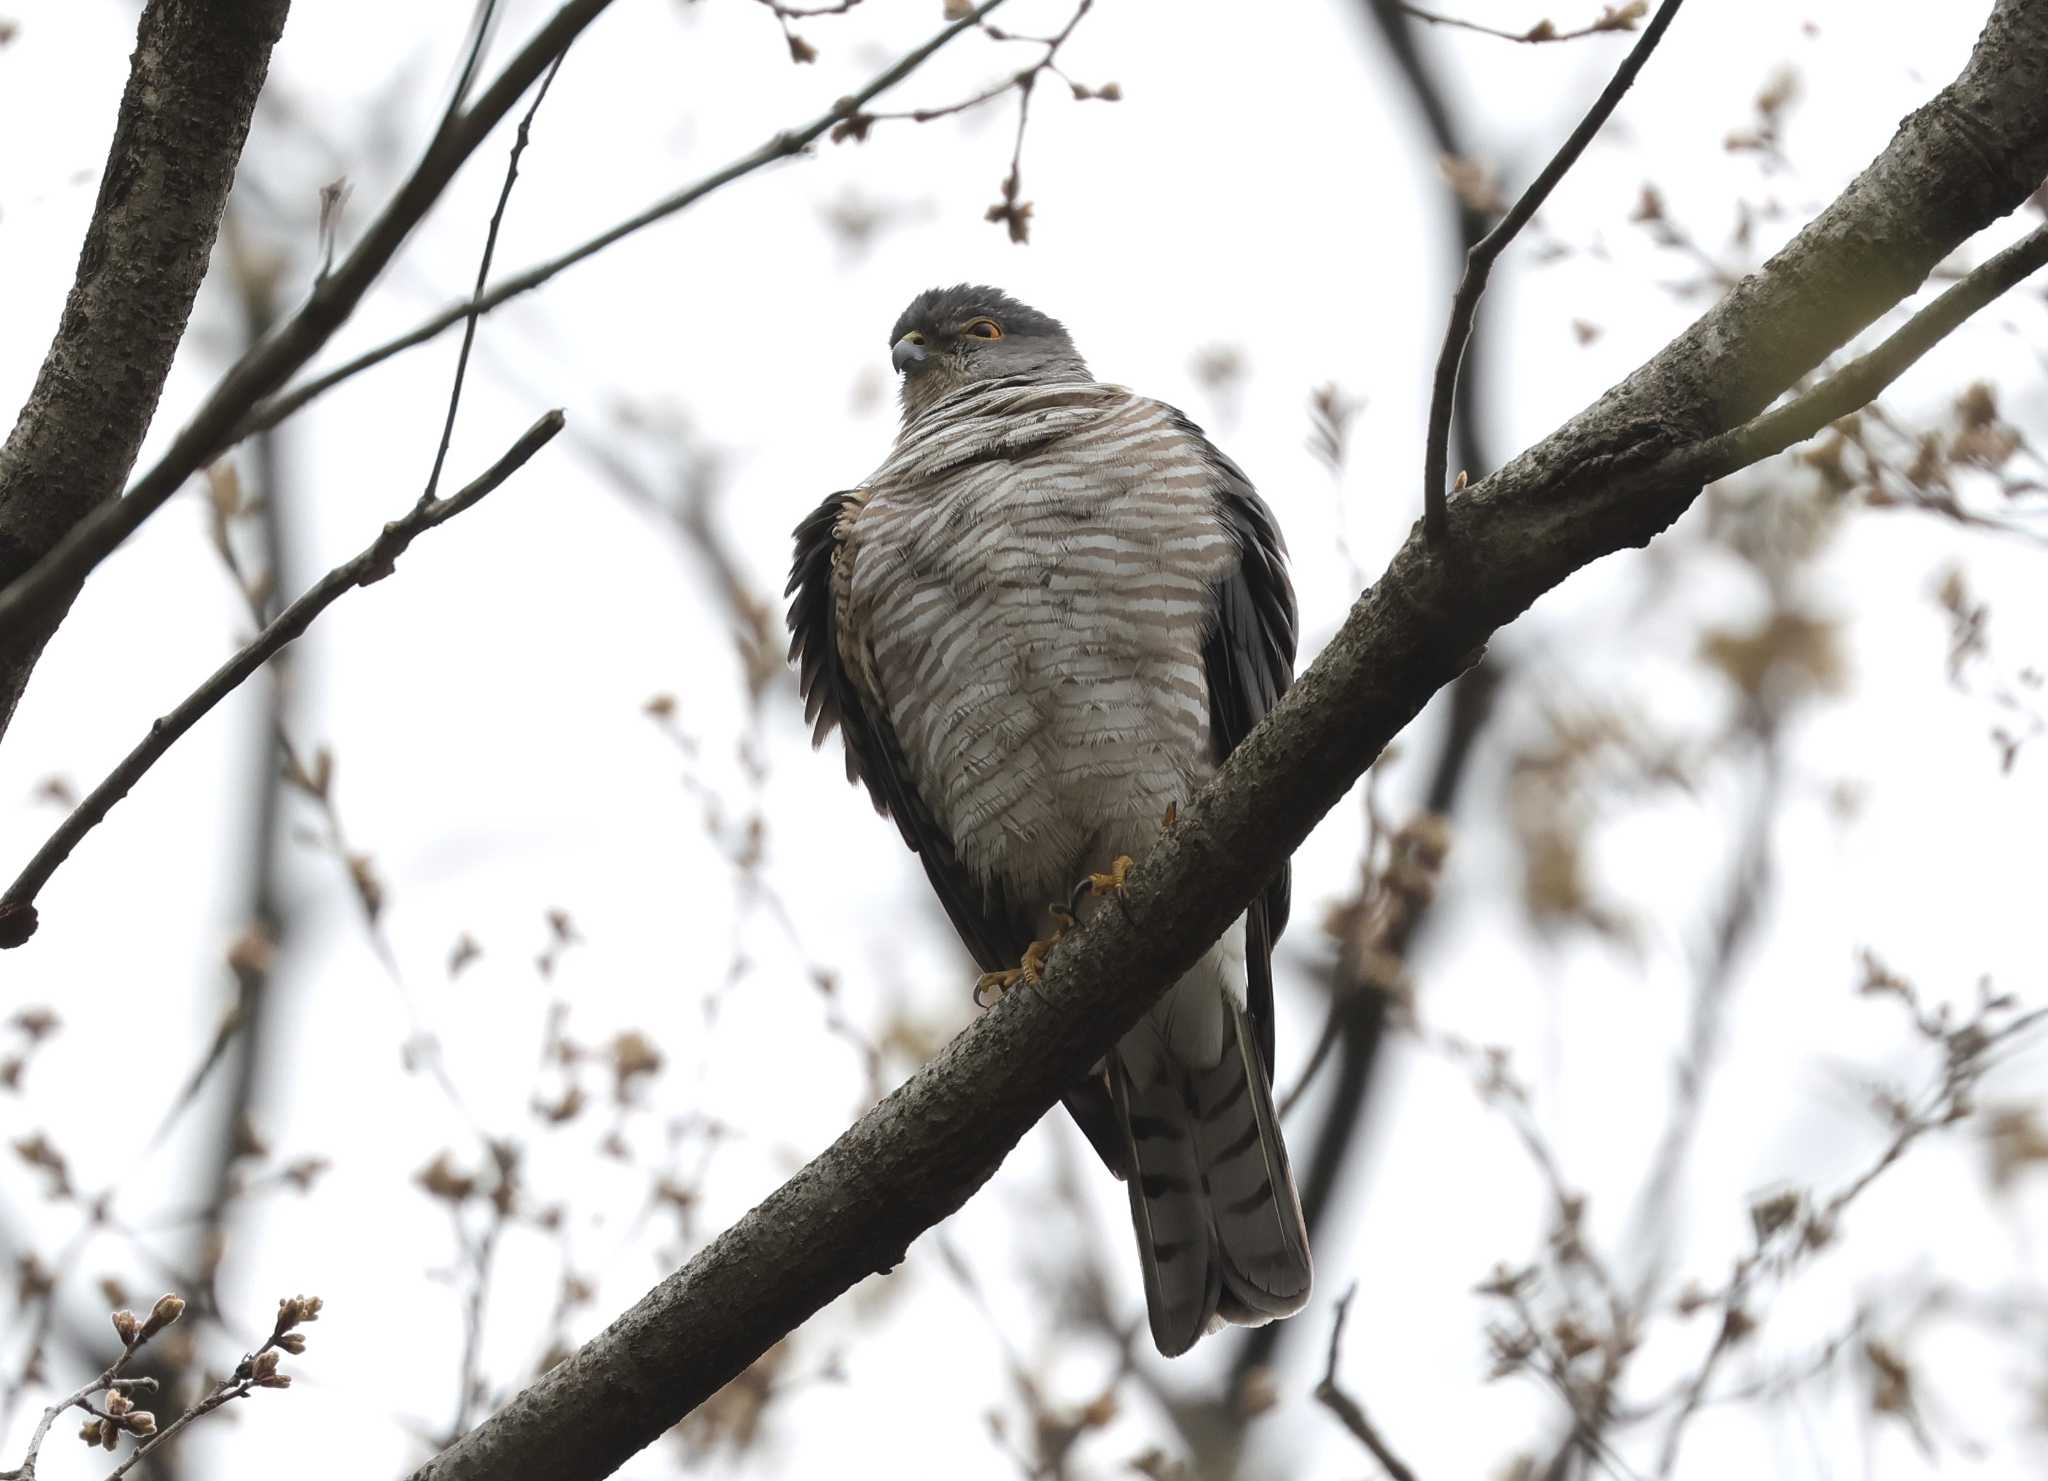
[(994, 933)]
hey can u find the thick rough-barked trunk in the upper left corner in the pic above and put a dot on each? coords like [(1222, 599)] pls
[(194, 85)]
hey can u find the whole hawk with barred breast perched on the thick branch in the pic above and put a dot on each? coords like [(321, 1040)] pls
[(1041, 624)]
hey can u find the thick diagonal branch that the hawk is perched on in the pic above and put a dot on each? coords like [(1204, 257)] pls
[(1588, 491)]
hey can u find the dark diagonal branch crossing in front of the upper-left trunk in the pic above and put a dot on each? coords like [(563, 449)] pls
[(265, 368)]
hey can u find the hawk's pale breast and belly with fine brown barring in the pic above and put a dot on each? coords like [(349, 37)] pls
[(1031, 587)]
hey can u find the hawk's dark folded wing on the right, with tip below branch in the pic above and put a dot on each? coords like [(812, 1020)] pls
[(1250, 661)]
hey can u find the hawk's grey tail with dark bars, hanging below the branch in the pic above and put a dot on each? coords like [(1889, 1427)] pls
[(1218, 1218)]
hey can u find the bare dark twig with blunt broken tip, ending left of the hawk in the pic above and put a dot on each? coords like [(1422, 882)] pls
[(17, 906)]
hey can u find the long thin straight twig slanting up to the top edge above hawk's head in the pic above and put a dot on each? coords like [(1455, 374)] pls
[(783, 146)]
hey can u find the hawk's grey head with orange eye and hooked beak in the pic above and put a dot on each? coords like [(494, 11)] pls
[(972, 333)]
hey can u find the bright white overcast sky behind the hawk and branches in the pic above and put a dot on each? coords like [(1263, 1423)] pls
[(1263, 187)]
